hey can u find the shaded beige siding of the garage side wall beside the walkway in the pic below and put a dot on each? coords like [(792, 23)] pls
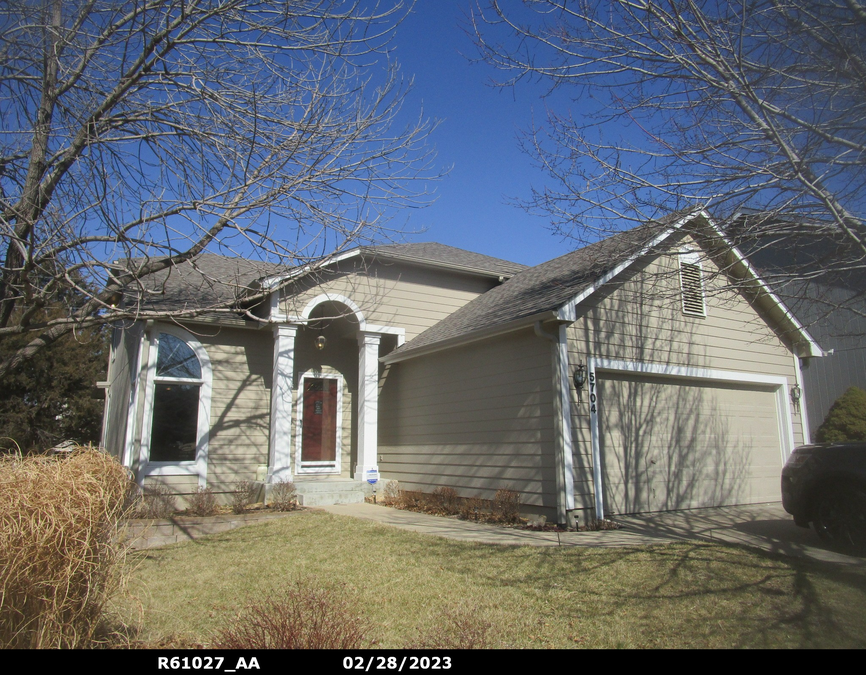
[(476, 418)]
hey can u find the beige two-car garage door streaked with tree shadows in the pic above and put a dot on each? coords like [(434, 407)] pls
[(676, 444)]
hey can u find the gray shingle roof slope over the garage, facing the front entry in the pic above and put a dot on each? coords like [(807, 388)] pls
[(545, 287)]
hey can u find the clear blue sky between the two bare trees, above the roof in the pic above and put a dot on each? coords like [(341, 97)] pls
[(477, 137)]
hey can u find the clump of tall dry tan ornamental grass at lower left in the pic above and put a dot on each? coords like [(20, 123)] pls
[(58, 546)]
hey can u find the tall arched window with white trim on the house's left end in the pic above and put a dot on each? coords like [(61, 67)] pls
[(178, 404)]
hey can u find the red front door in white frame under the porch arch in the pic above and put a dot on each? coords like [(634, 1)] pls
[(319, 425)]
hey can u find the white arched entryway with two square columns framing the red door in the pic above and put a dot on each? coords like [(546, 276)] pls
[(325, 392)]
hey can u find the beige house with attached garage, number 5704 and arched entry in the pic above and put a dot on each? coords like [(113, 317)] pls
[(434, 366)]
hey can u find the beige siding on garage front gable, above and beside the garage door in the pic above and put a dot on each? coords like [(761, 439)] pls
[(640, 320)]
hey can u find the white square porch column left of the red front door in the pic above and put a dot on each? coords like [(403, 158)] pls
[(280, 451)]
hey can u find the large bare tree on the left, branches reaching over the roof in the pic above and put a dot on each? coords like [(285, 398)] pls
[(137, 135)]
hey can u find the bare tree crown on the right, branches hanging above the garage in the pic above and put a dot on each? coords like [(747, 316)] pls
[(754, 109)]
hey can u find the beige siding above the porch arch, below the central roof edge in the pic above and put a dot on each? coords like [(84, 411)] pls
[(391, 294)]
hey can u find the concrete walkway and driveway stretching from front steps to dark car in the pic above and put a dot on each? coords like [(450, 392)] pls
[(763, 526)]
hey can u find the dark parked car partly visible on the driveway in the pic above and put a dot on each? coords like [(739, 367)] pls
[(825, 484)]
